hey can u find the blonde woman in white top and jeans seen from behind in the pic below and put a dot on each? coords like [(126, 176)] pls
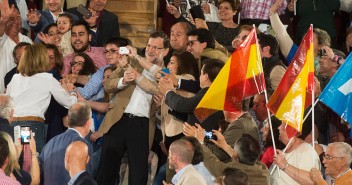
[(31, 91)]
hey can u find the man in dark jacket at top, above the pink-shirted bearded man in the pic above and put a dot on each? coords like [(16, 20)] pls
[(104, 23)]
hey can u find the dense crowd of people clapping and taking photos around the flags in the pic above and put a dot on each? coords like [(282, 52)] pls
[(102, 111)]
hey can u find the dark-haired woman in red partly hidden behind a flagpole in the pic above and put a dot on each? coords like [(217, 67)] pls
[(268, 154)]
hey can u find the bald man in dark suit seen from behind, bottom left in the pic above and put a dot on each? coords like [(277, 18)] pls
[(76, 159)]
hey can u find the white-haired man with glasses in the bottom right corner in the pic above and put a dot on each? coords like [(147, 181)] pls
[(337, 161)]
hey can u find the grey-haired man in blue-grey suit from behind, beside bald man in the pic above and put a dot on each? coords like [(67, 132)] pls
[(52, 156)]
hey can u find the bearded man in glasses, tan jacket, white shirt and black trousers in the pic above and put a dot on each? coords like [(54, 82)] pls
[(126, 124)]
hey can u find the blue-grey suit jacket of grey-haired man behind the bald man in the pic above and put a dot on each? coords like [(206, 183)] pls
[(52, 158)]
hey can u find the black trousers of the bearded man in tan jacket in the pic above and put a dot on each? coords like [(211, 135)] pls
[(129, 134)]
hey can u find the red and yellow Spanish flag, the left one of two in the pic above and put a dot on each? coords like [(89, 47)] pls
[(241, 77)]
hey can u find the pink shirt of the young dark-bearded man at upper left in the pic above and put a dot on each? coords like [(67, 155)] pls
[(96, 53)]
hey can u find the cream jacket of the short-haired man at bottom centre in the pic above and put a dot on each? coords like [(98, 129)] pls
[(191, 176)]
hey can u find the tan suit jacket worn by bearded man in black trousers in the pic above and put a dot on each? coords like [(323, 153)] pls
[(122, 98)]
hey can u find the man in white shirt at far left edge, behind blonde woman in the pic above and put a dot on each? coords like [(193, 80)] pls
[(10, 36)]
